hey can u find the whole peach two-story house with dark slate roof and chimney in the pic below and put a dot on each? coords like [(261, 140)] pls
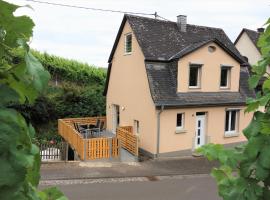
[(179, 85)]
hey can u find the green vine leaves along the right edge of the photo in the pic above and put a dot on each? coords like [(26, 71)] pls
[(244, 171)]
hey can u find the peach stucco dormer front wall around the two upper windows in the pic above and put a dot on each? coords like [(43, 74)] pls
[(211, 63)]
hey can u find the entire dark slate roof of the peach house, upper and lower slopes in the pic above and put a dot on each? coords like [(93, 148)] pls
[(163, 44)]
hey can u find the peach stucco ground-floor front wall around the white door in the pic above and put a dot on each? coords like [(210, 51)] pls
[(214, 128)]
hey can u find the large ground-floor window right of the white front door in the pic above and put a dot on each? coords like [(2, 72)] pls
[(231, 122)]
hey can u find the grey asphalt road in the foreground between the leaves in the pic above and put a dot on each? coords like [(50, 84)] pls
[(194, 187)]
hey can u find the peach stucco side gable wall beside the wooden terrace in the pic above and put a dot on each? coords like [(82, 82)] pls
[(128, 87)]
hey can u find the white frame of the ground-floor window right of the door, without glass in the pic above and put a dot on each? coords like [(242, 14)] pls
[(232, 133)]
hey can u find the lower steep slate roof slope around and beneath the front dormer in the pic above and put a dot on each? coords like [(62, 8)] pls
[(162, 78)]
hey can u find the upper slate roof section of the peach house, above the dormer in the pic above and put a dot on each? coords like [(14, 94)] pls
[(163, 41)]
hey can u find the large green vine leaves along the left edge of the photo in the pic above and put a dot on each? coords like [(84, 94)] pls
[(21, 81)]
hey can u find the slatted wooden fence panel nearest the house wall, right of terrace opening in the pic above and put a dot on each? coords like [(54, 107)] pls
[(129, 141)]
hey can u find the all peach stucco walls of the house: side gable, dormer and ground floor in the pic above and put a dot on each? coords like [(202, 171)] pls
[(129, 89)]
